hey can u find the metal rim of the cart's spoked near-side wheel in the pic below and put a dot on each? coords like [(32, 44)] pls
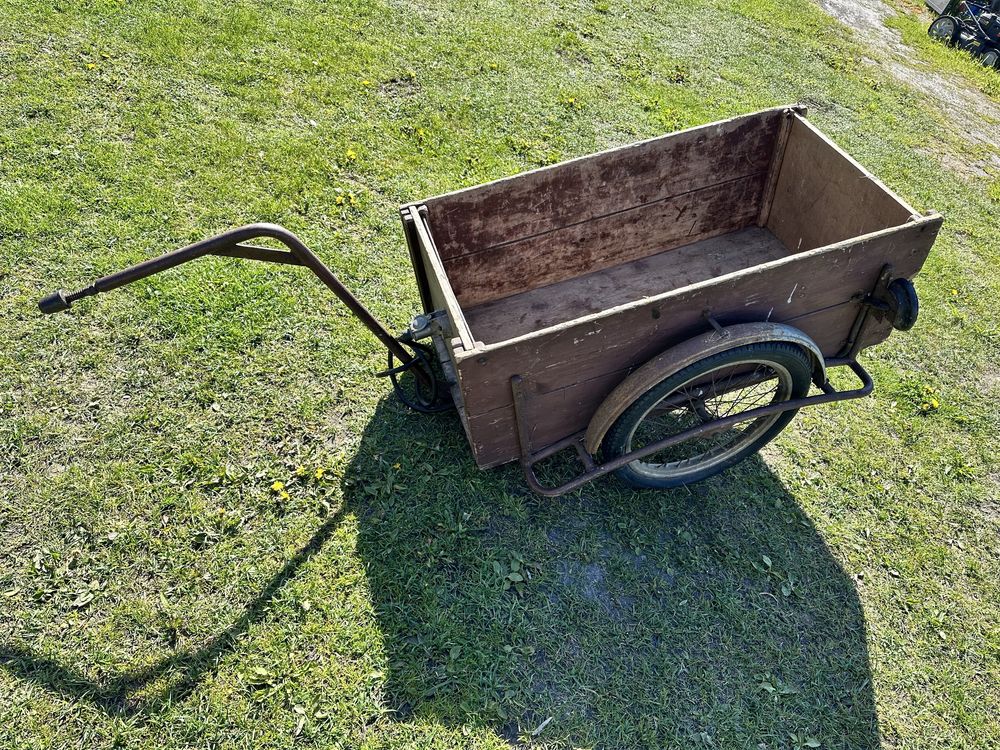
[(674, 469)]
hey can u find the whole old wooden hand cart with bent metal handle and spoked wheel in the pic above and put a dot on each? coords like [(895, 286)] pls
[(661, 309)]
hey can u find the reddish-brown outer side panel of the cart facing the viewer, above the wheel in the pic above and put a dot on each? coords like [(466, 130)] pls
[(600, 349)]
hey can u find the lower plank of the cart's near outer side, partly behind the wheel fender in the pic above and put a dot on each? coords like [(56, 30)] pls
[(558, 413)]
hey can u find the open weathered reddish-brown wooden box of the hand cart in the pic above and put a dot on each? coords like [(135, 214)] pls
[(574, 275)]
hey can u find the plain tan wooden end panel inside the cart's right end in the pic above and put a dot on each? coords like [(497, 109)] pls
[(824, 196)]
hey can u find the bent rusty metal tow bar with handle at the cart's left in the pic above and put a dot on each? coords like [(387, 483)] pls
[(232, 244)]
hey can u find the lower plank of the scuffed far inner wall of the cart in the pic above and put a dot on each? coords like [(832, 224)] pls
[(635, 233)]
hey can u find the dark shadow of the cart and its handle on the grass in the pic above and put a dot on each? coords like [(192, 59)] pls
[(713, 615)]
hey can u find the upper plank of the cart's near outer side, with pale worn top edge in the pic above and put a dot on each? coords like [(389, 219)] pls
[(592, 346)]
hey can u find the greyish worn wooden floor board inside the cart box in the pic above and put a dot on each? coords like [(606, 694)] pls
[(531, 311)]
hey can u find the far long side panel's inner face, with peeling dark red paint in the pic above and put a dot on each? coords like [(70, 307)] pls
[(547, 219)]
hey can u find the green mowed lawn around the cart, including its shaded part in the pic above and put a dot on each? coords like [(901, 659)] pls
[(157, 591)]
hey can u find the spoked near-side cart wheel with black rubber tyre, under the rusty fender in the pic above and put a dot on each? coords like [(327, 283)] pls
[(723, 384)]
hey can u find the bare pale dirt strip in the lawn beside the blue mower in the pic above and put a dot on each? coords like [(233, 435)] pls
[(973, 114)]
